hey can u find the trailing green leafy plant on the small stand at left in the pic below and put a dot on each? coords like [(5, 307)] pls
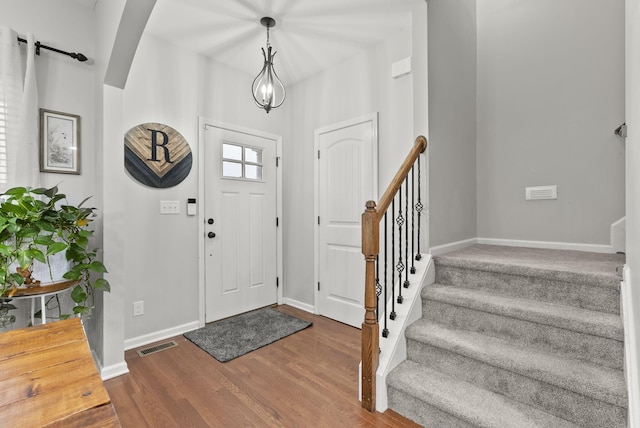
[(37, 225)]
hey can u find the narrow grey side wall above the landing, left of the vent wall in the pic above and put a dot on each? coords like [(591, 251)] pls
[(452, 120)]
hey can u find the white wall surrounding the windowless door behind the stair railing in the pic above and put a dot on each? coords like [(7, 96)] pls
[(358, 86)]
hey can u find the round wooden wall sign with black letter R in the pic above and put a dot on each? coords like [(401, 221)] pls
[(157, 155)]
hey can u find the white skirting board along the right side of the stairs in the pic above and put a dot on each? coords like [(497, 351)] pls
[(630, 354)]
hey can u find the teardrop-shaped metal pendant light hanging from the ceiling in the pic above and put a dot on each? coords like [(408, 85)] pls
[(268, 90)]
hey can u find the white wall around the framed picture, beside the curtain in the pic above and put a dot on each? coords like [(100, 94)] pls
[(64, 84)]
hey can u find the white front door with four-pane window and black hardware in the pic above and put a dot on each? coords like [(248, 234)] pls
[(240, 243)]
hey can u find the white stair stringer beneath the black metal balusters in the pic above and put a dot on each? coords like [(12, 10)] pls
[(393, 349)]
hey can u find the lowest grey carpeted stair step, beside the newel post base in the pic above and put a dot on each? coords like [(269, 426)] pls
[(435, 399)]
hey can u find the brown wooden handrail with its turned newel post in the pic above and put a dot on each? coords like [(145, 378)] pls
[(370, 248)]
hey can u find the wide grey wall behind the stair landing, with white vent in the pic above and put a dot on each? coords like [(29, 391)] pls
[(550, 93)]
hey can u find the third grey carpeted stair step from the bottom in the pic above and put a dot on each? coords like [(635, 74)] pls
[(578, 333)]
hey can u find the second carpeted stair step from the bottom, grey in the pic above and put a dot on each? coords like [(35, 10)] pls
[(584, 393)]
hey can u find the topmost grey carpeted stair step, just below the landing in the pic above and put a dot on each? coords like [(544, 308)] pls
[(572, 278)]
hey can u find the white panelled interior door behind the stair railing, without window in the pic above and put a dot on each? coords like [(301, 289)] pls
[(347, 178)]
